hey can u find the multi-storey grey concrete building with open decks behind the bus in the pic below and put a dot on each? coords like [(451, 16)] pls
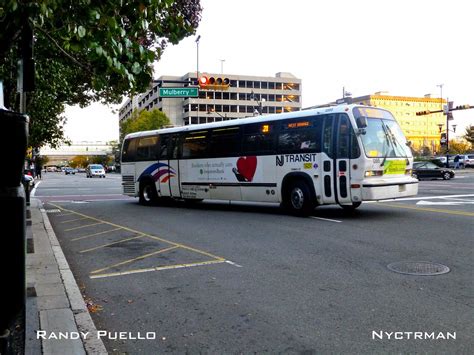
[(246, 96)]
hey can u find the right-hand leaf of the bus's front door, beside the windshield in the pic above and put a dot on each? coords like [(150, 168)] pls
[(342, 163)]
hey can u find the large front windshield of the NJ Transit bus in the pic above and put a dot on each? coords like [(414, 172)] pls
[(383, 136)]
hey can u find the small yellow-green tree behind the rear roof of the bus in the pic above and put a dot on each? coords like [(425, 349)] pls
[(144, 121)]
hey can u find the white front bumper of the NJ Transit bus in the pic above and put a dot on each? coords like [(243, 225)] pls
[(384, 190)]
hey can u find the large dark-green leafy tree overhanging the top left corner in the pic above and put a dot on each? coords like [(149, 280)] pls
[(86, 51)]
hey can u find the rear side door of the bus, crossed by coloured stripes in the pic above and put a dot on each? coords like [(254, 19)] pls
[(168, 174)]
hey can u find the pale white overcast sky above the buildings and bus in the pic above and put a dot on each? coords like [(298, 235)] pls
[(404, 47)]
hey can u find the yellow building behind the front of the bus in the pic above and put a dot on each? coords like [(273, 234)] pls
[(421, 131)]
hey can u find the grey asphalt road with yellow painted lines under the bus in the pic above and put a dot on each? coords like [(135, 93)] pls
[(238, 278)]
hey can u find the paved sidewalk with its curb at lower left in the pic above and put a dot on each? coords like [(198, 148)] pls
[(54, 305)]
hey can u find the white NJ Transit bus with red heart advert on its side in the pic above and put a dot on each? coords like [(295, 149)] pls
[(342, 155)]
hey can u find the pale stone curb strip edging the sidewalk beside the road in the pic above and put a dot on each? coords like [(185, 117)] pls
[(92, 344)]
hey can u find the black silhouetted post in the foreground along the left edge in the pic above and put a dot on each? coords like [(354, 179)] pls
[(12, 196)]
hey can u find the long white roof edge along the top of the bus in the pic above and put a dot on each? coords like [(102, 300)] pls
[(249, 120)]
